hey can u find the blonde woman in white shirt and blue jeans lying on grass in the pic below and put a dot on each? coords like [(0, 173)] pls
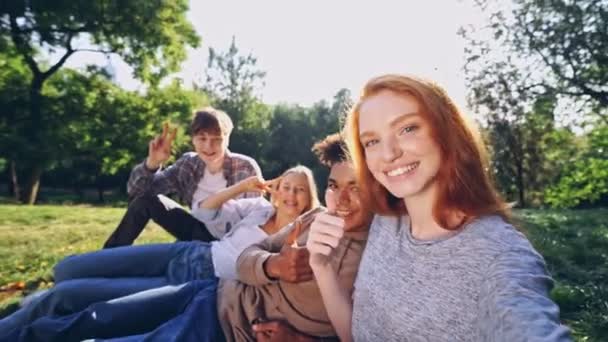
[(111, 273)]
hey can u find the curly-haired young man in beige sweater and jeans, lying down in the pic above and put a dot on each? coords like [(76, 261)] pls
[(277, 291)]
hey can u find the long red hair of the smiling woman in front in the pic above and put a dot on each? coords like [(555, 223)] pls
[(464, 182)]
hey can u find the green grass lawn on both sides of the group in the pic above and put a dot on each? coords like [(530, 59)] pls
[(574, 243)]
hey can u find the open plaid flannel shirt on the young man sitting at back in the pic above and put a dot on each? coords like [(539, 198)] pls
[(183, 176)]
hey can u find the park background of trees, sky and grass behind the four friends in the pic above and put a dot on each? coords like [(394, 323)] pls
[(84, 85)]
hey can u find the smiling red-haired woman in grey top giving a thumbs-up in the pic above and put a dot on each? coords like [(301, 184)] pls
[(442, 261)]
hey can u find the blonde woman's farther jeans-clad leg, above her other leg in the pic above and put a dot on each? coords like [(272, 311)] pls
[(130, 261)]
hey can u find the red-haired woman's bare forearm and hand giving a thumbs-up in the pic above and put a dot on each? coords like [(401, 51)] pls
[(325, 235)]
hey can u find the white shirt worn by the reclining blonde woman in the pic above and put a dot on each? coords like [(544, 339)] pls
[(237, 225)]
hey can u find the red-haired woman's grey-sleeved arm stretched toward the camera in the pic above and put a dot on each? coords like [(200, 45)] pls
[(515, 303)]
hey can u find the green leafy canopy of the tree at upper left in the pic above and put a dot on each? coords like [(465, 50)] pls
[(151, 36)]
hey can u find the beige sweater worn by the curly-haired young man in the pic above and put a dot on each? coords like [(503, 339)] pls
[(300, 304)]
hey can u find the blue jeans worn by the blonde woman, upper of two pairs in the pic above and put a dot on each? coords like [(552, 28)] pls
[(112, 273)]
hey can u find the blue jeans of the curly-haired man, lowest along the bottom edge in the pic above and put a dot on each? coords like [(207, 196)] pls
[(185, 312)]
